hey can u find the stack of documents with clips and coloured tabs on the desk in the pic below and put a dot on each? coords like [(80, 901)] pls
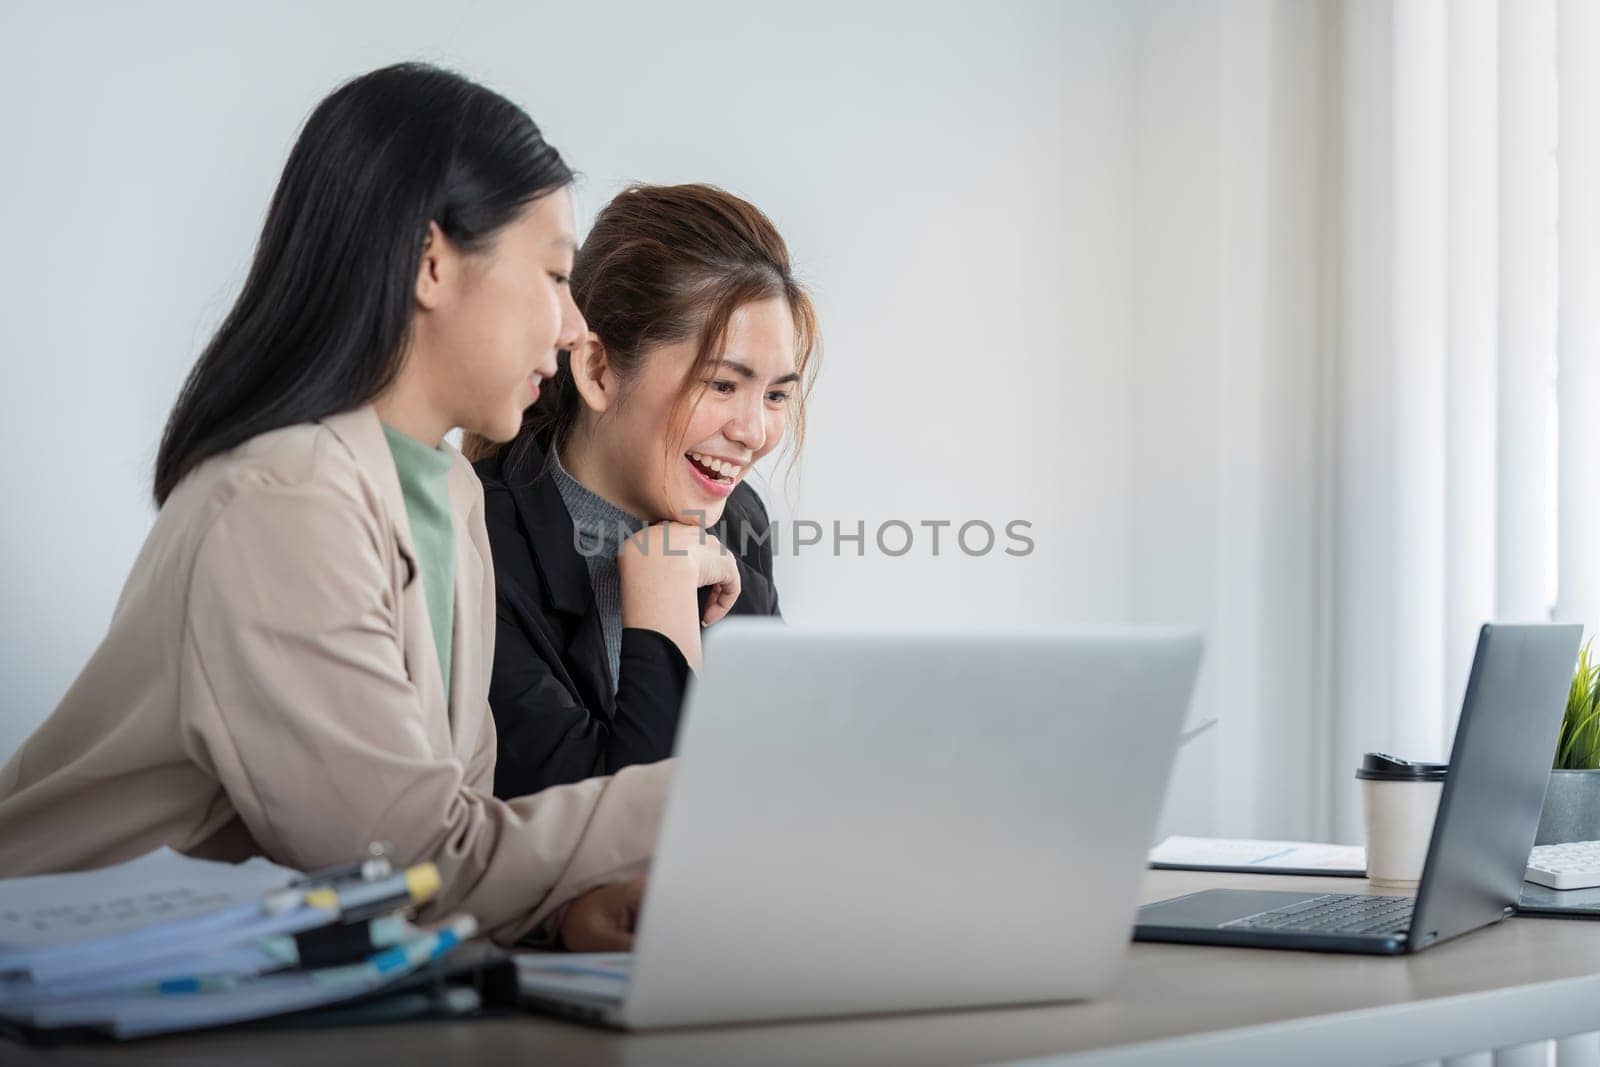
[(167, 943)]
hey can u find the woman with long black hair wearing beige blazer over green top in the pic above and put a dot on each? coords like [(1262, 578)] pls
[(300, 661)]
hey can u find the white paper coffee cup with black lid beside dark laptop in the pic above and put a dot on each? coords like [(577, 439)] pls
[(1399, 804)]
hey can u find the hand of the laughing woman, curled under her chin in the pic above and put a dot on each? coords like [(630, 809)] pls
[(662, 569)]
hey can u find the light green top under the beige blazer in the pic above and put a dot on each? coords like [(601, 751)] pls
[(425, 481)]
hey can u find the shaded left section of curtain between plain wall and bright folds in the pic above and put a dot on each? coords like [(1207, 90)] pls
[(1226, 370)]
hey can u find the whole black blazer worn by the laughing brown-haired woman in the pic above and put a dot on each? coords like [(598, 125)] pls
[(554, 713)]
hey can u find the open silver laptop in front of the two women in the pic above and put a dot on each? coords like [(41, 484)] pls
[(870, 821)]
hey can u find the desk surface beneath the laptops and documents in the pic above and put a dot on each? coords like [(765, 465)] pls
[(1518, 981)]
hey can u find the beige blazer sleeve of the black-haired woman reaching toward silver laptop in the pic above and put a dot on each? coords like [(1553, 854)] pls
[(298, 700)]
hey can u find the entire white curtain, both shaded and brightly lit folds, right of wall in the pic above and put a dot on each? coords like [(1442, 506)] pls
[(1366, 370)]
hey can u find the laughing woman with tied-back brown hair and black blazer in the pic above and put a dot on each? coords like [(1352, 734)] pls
[(625, 495)]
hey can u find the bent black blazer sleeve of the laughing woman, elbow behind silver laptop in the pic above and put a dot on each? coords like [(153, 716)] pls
[(546, 735)]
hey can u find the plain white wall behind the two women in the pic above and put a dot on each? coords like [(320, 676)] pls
[(956, 180)]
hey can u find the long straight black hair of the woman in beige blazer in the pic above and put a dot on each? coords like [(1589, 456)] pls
[(322, 321)]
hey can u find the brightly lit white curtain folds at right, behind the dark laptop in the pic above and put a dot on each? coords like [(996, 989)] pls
[(1468, 450)]
